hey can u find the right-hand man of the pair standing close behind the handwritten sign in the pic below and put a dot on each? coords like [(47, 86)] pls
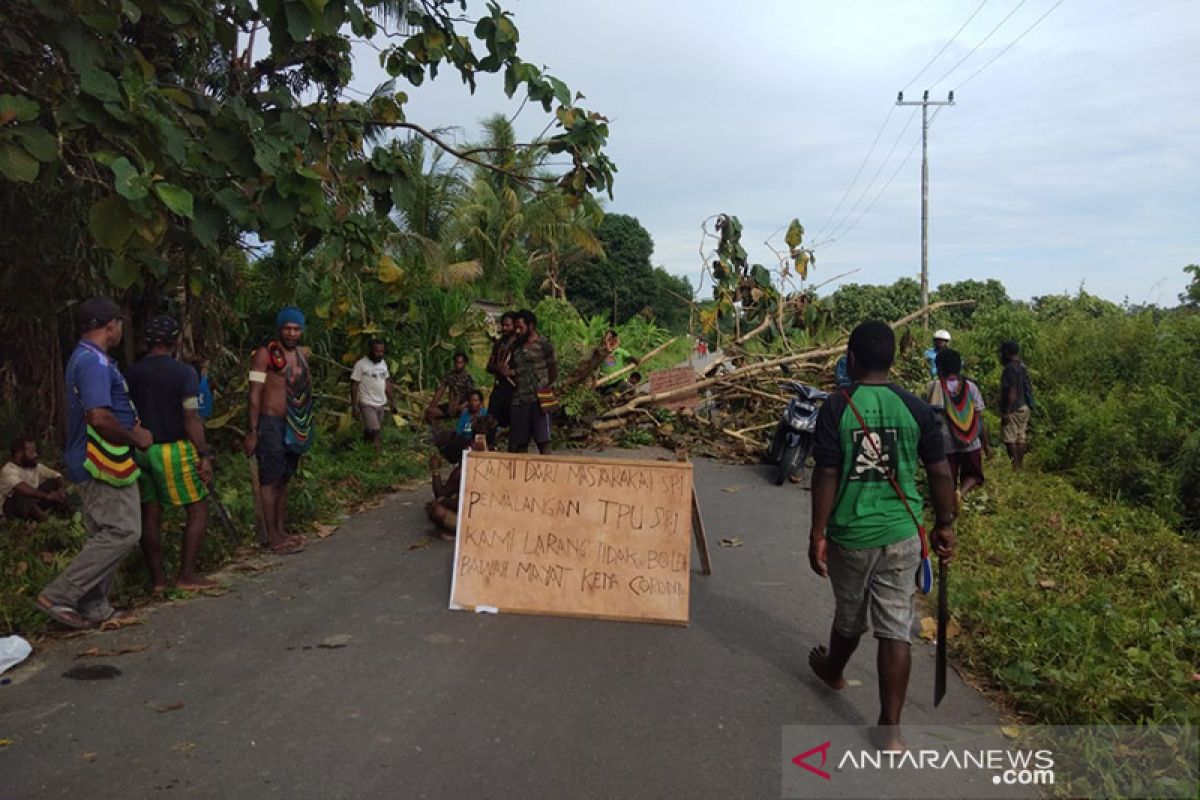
[(535, 371)]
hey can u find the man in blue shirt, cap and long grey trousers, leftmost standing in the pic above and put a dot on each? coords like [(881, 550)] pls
[(103, 430)]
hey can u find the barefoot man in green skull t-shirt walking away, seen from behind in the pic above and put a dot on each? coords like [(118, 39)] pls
[(865, 538)]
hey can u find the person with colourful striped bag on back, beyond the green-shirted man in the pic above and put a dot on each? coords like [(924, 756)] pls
[(962, 417)]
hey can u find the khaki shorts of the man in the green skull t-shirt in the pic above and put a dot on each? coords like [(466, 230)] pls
[(877, 581)]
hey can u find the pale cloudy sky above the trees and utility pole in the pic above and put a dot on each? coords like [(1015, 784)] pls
[(1071, 161)]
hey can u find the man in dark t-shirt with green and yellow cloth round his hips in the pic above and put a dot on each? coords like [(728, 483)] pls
[(177, 470)]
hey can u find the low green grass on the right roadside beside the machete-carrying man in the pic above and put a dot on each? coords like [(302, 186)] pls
[(1085, 612)]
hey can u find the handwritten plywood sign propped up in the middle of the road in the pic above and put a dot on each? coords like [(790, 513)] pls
[(574, 537)]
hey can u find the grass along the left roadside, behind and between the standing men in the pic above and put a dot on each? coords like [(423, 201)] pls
[(340, 473)]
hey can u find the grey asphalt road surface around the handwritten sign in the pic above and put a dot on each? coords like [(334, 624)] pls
[(423, 702)]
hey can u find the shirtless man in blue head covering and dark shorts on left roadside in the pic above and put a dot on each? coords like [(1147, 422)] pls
[(280, 423)]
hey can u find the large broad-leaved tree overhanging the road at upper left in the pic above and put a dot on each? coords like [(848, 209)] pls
[(141, 140)]
